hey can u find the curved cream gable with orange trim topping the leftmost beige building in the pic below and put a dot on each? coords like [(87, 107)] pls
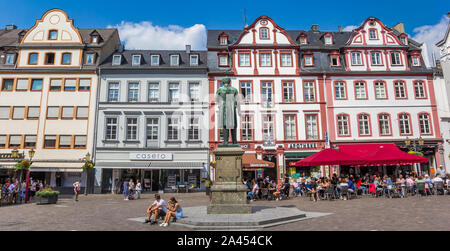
[(54, 27)]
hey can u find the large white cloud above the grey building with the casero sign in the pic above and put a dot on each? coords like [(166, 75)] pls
[(145, 35)]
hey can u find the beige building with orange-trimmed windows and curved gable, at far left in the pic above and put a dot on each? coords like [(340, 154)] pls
[(48, 93)]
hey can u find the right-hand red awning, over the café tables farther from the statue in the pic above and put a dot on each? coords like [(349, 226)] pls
[(382, 154)]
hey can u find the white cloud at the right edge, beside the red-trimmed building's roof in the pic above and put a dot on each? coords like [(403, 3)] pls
[(431, 34)]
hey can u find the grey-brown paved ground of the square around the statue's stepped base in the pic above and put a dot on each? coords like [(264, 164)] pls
[(111, 212)]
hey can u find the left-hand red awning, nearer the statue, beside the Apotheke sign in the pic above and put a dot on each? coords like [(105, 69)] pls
[(330, 157)]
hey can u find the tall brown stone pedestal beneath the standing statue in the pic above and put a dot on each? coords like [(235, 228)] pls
[(228, 194)]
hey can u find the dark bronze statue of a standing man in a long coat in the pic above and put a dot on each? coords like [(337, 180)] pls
[(227, 98)]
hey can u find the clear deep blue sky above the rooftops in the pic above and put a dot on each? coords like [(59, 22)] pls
[(229, 14)]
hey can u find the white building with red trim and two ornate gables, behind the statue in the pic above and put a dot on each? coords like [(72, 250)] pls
[(302, 88)]
